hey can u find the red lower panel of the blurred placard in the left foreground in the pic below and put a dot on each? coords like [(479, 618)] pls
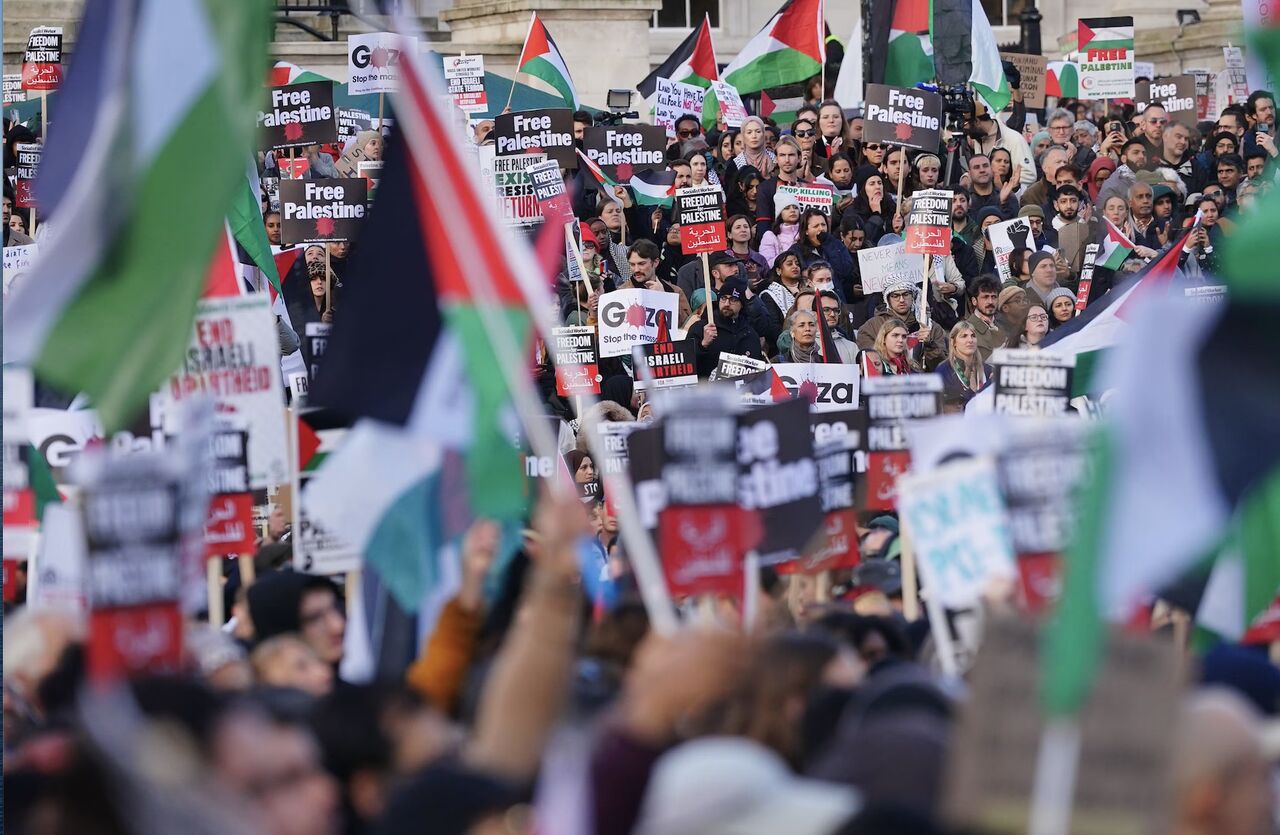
[(131, 641)]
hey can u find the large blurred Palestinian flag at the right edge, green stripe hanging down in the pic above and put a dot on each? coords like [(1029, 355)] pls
[(1188, 459)]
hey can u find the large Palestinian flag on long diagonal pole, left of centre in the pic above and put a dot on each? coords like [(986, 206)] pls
[(433, 442)]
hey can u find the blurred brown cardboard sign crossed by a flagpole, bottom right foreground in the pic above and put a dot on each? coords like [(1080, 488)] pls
[(1123, 774)]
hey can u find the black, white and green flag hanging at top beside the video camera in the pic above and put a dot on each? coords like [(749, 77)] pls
[(966, 51)]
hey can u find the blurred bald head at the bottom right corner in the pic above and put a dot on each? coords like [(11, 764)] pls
[(1222, 782)]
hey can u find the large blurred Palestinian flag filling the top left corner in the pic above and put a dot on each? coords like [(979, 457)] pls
[(109, 305)]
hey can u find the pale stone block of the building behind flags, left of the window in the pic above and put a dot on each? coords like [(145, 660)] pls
[(605, 43)]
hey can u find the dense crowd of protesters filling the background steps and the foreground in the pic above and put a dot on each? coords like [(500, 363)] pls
[(529, 709)]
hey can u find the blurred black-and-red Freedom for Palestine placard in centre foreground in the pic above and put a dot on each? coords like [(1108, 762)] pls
[(701, 527)]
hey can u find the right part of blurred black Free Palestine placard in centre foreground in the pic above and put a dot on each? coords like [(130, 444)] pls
[(780, 478)]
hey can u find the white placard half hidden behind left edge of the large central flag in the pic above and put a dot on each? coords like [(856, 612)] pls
[(317, 549)]
